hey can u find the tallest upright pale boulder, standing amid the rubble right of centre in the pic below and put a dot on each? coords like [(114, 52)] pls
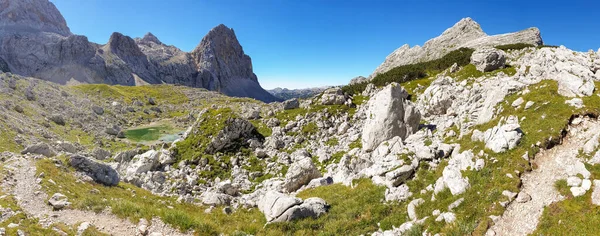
[(390, 114)]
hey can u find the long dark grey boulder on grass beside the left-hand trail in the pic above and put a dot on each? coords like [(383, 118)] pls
[(99, 172)]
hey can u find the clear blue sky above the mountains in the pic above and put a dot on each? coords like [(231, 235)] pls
[(306, 43)]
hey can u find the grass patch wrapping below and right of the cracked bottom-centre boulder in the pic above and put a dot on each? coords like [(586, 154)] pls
[(353, 211)]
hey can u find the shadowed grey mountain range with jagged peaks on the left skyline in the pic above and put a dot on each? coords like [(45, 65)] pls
[(36, 42)]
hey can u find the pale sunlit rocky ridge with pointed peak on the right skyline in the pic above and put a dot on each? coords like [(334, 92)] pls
[(465, 33)]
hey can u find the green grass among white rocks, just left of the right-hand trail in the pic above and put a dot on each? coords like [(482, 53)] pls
[(543, 123)]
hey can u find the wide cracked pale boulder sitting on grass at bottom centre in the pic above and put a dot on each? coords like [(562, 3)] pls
[(279, 207)]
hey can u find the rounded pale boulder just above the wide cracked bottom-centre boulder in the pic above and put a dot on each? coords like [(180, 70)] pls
[(300, 173)]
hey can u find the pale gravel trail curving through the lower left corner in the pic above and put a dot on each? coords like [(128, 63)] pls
[(32, 200)]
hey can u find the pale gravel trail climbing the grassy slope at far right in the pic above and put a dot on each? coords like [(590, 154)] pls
[(552, 165)]
